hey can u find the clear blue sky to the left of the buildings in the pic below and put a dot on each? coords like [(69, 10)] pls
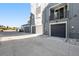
[(14, 14)]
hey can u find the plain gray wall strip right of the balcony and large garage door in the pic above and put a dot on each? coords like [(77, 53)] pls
[(74, 20)]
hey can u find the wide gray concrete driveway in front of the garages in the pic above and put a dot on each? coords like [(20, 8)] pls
[(37, 46)]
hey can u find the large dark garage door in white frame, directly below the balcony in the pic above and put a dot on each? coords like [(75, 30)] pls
[(58, 30)]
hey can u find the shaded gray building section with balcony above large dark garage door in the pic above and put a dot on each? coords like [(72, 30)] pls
[(62, 20)]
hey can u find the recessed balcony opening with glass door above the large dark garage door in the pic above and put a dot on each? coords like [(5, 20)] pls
[(59, 13)]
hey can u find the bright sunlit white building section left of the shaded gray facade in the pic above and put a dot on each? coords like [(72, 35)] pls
[(36, 18)]
